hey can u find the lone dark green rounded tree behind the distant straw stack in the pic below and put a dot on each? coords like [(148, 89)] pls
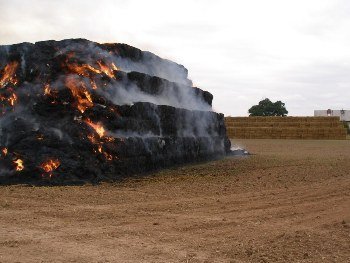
[(268, 108)]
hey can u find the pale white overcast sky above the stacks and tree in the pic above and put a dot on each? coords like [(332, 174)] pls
[(297, 51)]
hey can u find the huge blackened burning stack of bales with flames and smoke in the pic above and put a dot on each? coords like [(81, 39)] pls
[(76, 111)]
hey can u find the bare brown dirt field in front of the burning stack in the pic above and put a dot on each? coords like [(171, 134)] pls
[(290, 202)]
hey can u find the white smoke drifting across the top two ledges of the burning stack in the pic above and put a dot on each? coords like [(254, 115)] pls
[(128, 93)]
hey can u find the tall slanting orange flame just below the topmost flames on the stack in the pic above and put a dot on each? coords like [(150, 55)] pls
[(80, 93)]
